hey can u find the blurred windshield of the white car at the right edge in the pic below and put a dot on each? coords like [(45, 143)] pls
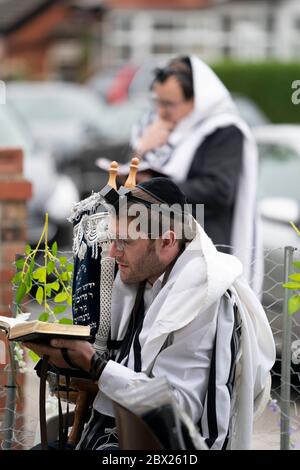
[(279, 172)]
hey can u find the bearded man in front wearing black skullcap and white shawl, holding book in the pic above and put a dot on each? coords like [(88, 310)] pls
[(180, 310)]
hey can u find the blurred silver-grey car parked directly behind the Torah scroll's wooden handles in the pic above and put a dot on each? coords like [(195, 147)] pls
[(77, 126)]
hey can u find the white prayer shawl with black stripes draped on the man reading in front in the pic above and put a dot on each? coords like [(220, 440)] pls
[(194, 288)]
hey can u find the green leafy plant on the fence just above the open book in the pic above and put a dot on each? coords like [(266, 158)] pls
[(49, 282)]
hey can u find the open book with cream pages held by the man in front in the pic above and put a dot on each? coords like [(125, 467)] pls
[(37, 331)]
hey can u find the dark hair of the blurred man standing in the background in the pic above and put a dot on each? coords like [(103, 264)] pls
[(181, 69)]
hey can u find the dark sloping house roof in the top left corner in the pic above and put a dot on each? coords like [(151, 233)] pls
[(16, 13)]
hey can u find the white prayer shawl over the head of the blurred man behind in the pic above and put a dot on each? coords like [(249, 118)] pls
[(215, 109)]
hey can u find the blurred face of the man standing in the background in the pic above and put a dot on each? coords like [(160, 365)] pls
[(170, 102)]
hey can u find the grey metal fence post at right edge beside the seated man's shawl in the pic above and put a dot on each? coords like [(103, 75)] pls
[(285, 378)]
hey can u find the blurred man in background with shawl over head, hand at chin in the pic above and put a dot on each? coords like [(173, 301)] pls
[(196, 137)]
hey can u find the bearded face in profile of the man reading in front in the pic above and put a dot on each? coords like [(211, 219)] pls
[(137, 259)]
